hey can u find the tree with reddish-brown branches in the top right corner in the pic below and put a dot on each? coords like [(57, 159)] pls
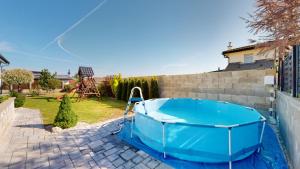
[(278, 21)]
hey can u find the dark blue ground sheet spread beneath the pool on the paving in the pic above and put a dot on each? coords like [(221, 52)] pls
[(270, 156)]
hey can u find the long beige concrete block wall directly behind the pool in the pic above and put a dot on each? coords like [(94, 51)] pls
[(242, 87)]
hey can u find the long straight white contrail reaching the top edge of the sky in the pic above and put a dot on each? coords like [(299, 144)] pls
[(73, 26)]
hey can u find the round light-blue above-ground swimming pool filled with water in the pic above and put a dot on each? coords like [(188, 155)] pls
[(198, 130)]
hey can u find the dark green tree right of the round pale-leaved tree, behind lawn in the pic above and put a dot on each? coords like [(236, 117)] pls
[(47, 81)]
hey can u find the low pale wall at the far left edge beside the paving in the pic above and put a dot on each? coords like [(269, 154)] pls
[(7, 114)]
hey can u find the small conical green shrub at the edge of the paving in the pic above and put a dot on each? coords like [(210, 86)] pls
[(65, 117)]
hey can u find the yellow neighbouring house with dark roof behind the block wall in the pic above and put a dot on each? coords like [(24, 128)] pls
[(249, 57)]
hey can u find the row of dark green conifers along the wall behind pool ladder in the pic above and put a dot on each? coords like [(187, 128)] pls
[(149, 91)]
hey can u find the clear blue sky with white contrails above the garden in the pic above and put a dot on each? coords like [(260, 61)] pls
[(132, 37)]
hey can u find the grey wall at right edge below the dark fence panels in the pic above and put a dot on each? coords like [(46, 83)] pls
[(288, 112)]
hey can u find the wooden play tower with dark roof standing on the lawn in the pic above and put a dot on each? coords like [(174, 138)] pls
[(87, 84)]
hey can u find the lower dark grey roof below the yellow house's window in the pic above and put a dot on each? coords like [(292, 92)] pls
[(258, 64)]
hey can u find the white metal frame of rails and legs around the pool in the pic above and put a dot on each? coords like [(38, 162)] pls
[(229, 127)]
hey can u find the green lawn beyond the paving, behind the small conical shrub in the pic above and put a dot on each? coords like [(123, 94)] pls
[(88, 110)]
